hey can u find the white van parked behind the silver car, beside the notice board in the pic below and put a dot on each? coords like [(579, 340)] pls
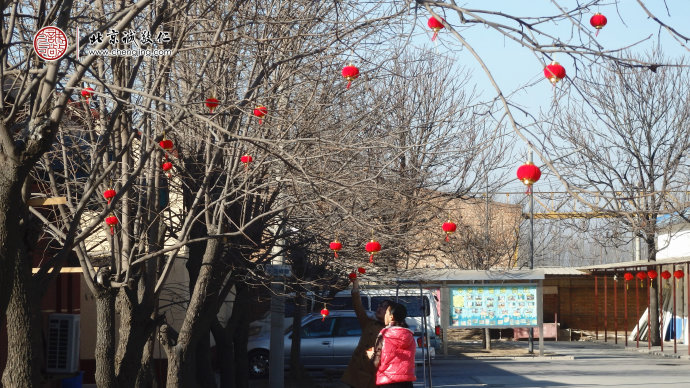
[(421, 308)]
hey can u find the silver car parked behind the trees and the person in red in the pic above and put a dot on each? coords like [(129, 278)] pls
[(325, 344)]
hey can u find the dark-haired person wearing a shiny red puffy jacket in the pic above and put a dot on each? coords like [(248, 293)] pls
[(393, 353)]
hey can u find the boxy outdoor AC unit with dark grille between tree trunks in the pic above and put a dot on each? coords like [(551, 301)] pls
[(62, 355)]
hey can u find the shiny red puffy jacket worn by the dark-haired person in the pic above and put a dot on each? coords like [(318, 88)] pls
[(397, 356)]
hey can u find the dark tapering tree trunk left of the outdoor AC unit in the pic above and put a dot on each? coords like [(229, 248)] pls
[(24, 355)]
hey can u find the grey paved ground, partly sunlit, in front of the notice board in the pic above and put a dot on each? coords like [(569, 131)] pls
[(572, 364)]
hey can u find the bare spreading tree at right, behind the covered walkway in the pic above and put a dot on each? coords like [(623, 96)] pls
[(625, 148)]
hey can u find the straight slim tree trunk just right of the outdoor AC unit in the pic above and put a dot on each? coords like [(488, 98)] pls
[(105, 339)]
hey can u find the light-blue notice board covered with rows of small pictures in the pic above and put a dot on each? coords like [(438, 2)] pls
[(494, 306)]
